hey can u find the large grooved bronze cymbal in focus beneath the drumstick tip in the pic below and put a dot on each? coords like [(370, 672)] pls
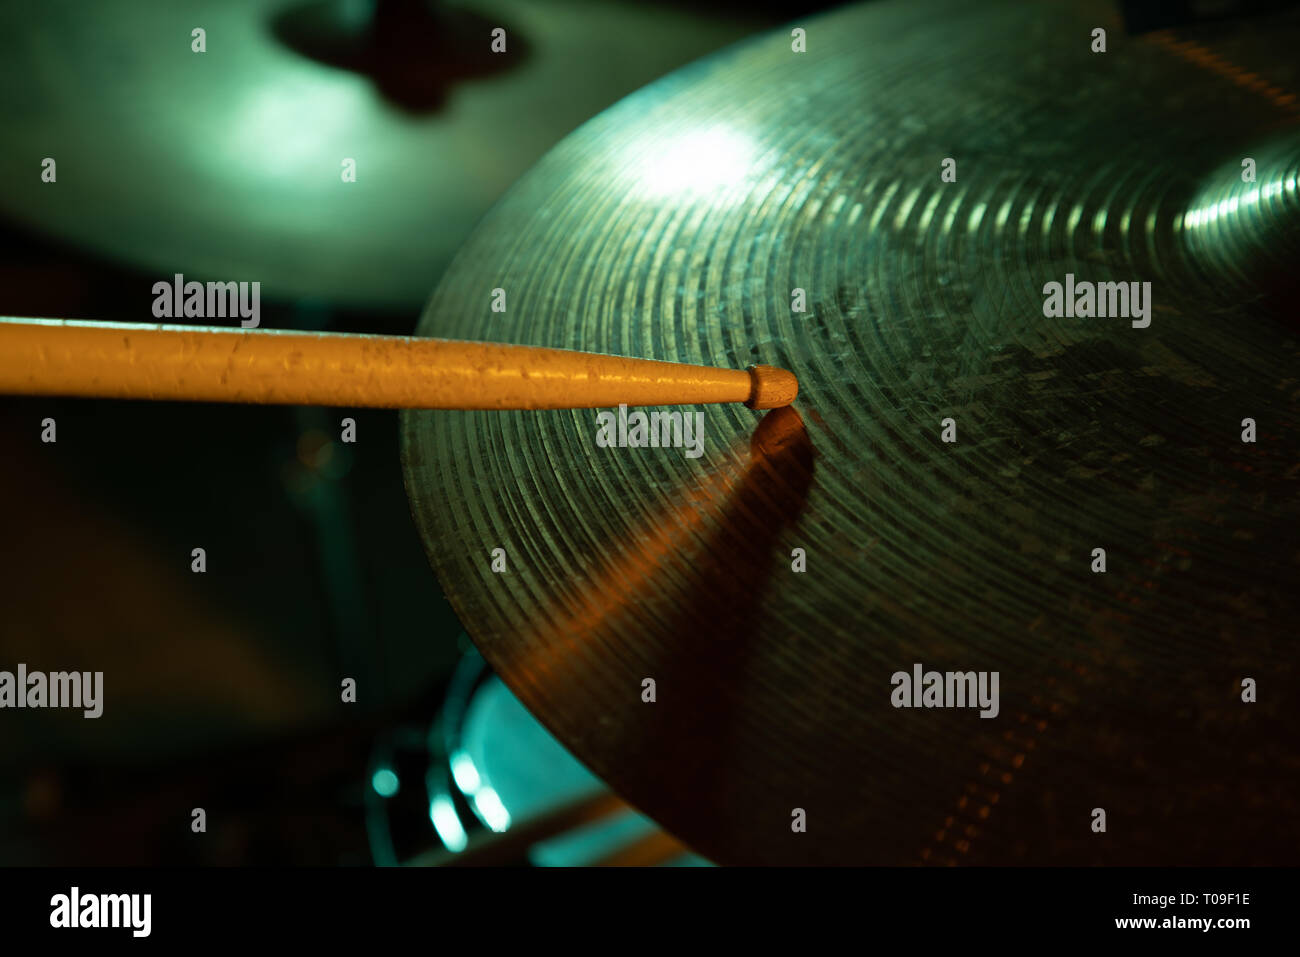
[(678, 226)]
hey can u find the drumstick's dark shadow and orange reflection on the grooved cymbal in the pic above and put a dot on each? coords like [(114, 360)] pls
[(695, 578)]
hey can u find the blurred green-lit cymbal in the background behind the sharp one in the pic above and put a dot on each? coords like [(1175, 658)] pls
[(228, 164)]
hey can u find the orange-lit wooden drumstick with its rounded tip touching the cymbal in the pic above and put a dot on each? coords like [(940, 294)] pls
[(122, 361)]
